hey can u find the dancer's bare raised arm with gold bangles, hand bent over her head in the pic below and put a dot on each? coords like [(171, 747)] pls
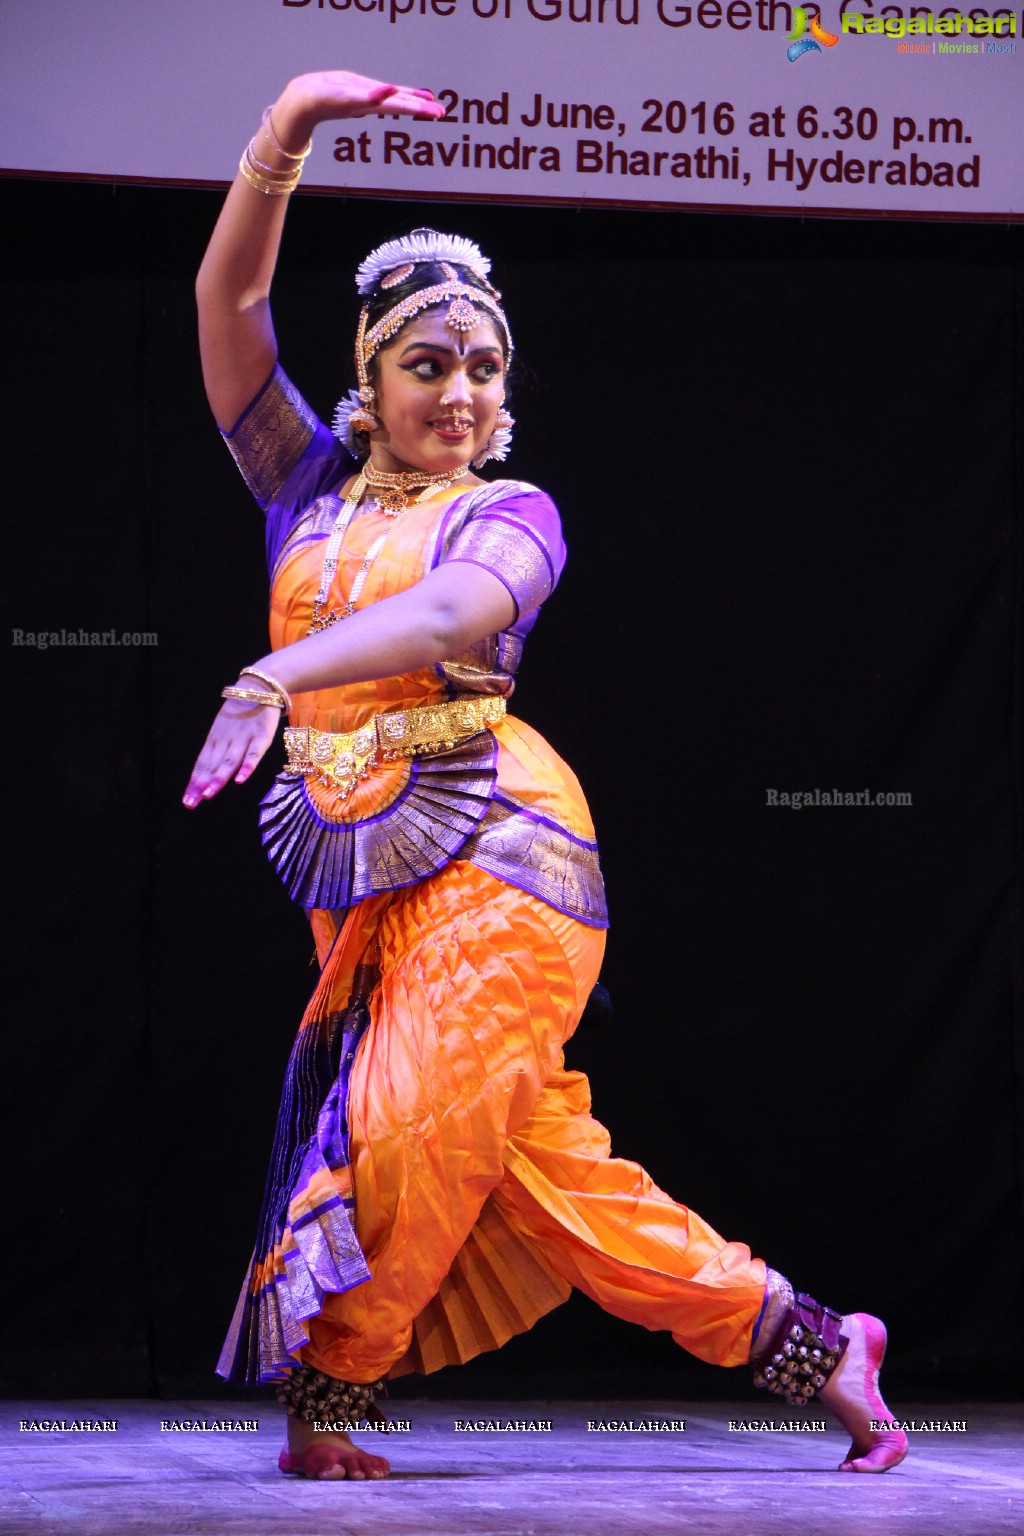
[(237, 340)]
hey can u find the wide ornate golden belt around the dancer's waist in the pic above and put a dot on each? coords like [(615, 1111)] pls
[(339, 760)]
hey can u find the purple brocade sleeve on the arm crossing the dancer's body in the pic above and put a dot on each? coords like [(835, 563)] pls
[(518, 540)]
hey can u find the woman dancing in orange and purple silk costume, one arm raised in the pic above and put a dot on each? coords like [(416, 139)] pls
[(437, 1182)]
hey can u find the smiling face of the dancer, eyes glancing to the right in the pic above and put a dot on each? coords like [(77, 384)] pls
[(438, 394)]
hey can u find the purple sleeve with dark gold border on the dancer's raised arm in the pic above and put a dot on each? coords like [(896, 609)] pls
[(286, 455)]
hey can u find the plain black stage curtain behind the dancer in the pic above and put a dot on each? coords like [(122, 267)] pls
[(788, 462)]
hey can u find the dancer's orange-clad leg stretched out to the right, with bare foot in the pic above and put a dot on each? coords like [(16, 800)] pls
[(613, 1234)]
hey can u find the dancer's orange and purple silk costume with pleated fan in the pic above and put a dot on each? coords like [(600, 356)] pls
[(438, 1182)]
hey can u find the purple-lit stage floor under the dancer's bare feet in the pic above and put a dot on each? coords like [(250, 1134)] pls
[(448, 1481)]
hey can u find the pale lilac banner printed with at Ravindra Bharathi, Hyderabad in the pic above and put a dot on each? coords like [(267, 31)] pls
[(845, 107)]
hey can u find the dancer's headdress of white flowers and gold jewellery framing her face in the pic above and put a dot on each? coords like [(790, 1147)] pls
[(386, 268)]
